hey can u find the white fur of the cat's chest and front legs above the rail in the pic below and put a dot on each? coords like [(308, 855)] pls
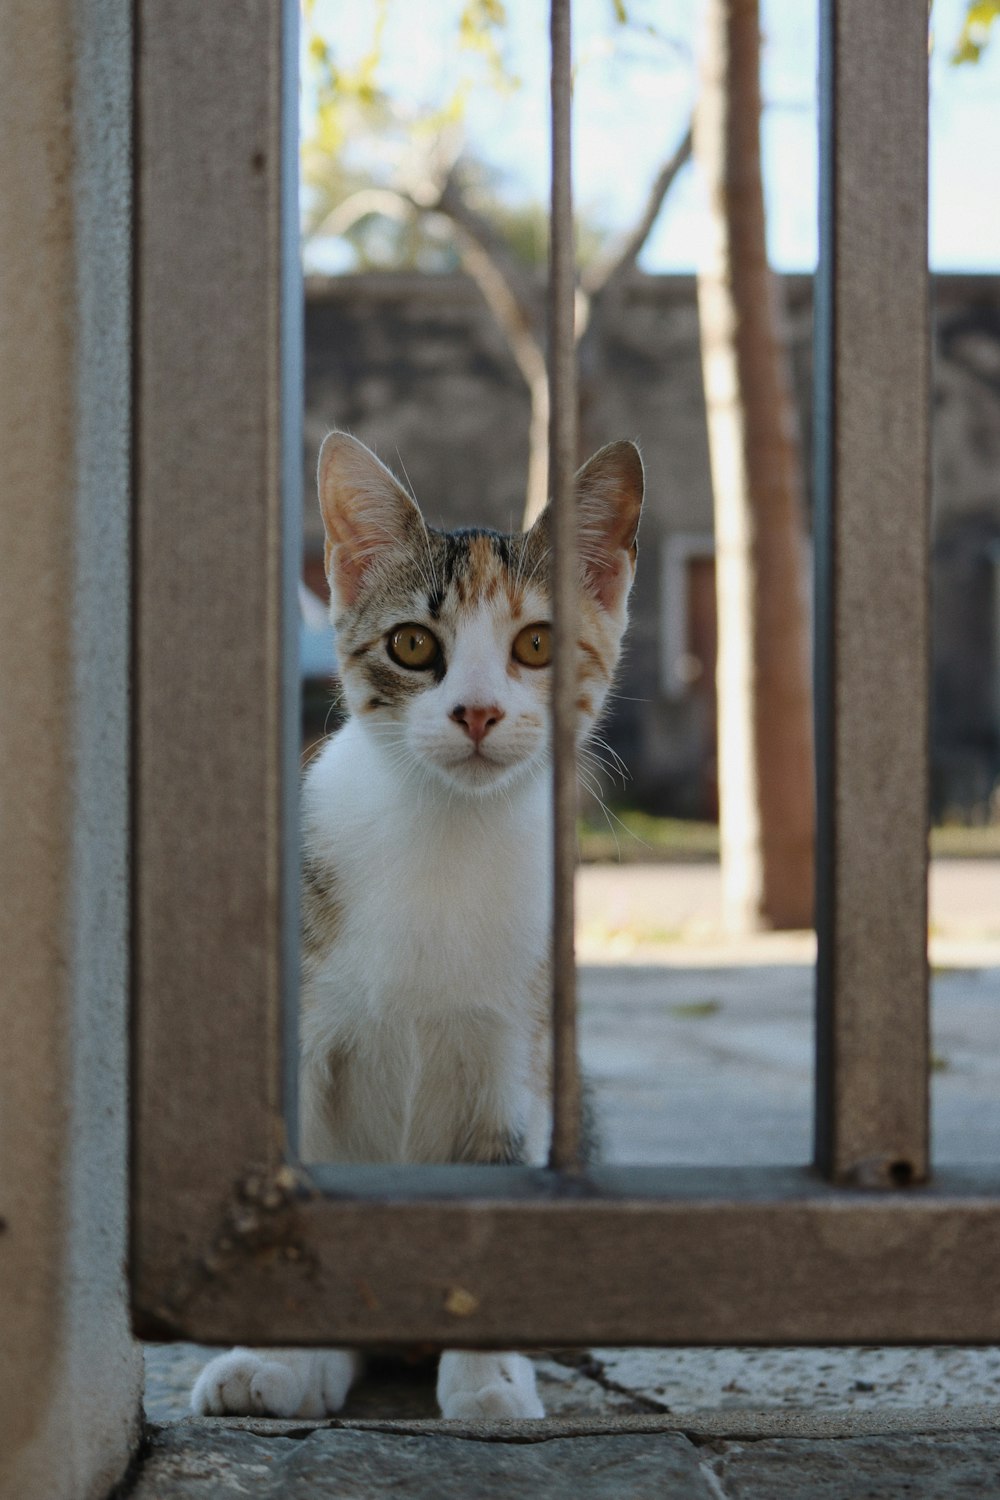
[(437, 1010)]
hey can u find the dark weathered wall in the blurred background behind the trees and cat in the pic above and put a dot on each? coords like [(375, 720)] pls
[(416, 367)]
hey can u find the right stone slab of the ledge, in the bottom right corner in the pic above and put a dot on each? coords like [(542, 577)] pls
[(860, 1469)]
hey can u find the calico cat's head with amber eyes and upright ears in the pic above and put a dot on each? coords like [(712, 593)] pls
[(445, 640)]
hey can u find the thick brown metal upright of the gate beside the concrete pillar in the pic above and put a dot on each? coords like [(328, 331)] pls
[(217, 476)]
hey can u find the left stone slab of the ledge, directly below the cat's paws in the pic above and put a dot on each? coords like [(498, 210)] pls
[(197, 1460)]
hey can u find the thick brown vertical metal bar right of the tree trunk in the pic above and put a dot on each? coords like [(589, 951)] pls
[(872, 523)]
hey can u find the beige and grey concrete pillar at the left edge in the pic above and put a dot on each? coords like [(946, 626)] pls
[(70, 1372)]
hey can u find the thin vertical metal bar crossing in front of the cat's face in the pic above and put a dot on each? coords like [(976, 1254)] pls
[(563, 439)]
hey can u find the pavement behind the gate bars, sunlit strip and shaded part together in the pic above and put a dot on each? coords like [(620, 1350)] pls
[(701, 1049)]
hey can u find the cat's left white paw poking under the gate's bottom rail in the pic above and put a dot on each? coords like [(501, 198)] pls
[(248, 1382)]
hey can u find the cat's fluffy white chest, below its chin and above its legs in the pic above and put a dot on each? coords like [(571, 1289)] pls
[(445, 902)]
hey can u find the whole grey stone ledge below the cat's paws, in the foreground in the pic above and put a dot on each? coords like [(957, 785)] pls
[(641, 1459)]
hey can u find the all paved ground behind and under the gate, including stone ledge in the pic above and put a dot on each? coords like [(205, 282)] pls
[(701, 1052)]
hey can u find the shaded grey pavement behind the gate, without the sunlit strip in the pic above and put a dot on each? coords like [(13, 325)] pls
[(714, 1064)]
